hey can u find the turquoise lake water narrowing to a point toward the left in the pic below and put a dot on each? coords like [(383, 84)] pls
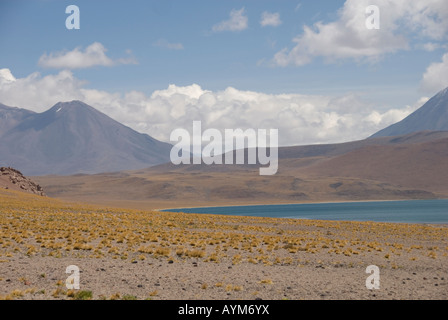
[(408, 211)]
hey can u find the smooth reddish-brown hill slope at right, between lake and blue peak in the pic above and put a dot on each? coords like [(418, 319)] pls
[(418, 166)]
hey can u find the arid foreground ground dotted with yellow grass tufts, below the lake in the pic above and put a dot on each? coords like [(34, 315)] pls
[(134, 254)]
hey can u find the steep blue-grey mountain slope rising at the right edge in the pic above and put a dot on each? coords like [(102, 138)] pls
[(433, 115)]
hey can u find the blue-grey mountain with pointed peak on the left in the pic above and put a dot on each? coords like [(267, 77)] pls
[(72, 138)]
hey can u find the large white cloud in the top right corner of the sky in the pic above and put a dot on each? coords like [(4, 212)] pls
[(348, 37)]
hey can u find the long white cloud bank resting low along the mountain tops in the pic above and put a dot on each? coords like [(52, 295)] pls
[(300, 119)]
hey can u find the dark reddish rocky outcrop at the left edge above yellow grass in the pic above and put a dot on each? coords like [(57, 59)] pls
[(13, 179)]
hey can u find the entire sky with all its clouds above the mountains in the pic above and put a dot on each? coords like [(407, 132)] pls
[(314, 70)]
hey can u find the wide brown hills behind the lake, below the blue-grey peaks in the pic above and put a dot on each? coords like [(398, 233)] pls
[(413, 166)]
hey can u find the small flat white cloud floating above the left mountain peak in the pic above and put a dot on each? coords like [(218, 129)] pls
[(93, 55)]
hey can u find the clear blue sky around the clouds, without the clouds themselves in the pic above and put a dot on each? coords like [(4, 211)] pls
[(214, 60)]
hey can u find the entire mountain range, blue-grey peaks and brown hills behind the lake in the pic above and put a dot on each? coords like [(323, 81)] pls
[(408, 160)]
